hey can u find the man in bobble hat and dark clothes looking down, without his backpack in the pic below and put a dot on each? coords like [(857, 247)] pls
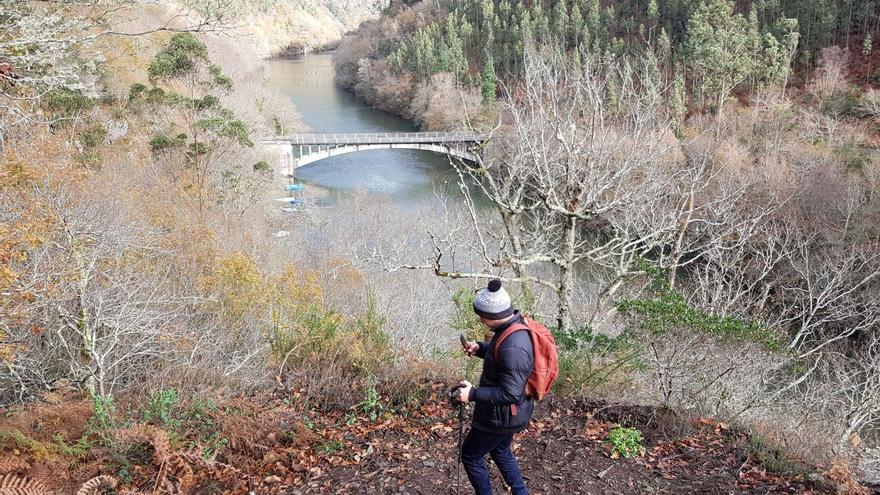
[(501, 407)]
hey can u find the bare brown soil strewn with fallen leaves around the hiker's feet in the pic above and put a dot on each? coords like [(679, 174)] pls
[(563, 452)]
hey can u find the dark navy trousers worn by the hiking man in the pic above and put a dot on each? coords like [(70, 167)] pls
[(473, 456)]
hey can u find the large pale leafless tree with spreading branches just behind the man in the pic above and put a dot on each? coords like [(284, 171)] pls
[(583, 170)]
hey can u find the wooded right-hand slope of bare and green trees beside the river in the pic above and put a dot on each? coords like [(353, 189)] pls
[(690, 189)]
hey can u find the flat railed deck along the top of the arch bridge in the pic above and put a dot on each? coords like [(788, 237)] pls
[(379, 138)]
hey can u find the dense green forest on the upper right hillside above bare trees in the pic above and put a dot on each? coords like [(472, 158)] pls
[(706, 50)]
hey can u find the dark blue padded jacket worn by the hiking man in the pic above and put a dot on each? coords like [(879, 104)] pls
[(504, 382)]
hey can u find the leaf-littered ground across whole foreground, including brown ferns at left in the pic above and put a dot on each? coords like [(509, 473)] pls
[(270, 448)]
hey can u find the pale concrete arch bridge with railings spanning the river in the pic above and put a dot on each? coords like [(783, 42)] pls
[(302, 149)]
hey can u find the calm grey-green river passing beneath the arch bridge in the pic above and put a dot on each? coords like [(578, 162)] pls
[(406, 176)]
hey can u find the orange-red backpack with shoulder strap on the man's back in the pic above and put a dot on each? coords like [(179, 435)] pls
[(546, 367)]
